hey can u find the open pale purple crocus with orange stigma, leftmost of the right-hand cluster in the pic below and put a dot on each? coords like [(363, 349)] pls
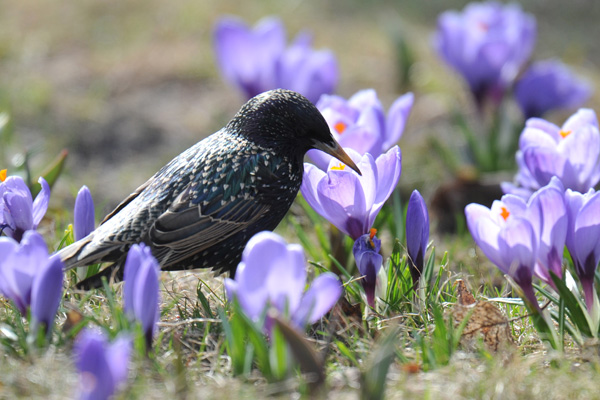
[(507, 237)]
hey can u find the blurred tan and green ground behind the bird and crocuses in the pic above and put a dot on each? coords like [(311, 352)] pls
[(127, 85)]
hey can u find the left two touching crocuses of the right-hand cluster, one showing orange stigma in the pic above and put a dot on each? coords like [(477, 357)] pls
[(522, 238)]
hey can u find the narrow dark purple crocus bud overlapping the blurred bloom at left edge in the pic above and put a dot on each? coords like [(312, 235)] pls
[(46, 292)]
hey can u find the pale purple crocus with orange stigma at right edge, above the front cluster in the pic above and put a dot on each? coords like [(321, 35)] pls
[(570, 153)]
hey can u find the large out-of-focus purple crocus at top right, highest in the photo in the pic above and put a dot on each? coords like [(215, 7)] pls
[(488, 44)]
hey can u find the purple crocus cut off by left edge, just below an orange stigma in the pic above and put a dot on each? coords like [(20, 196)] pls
[(18, 211)]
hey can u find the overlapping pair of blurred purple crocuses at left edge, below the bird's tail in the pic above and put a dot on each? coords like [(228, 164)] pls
[(30, 278)]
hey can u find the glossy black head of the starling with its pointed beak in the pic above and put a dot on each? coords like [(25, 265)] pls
[(286, 120)]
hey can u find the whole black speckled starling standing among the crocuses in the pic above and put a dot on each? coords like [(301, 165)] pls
[(201, 208)]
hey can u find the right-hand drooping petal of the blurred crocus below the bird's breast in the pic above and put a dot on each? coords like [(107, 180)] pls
[(322, 295)]
